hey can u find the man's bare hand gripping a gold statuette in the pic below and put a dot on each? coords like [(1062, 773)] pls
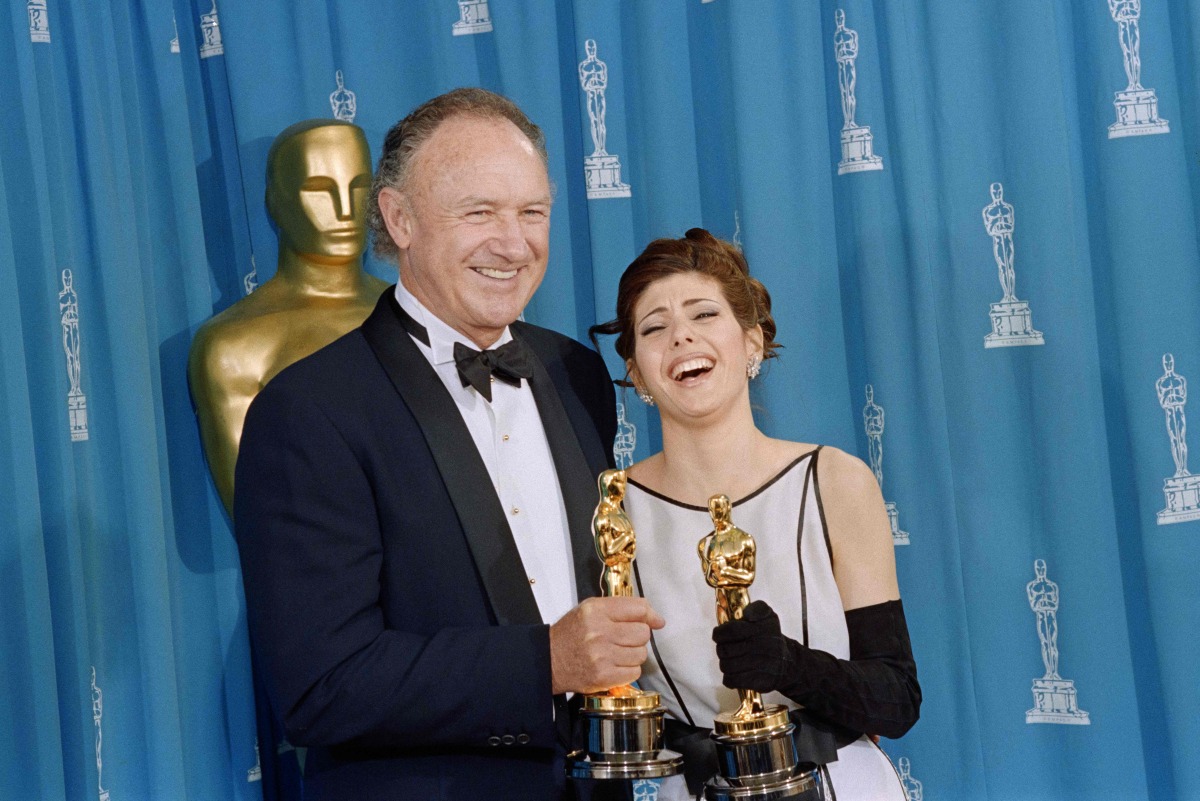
[(601, 645)]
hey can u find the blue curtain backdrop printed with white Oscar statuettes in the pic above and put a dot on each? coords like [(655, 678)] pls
[(131, 185)]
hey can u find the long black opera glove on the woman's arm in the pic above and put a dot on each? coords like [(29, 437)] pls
[(875, 691)]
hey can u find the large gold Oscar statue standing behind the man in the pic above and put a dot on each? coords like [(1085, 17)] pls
[(319, 176)]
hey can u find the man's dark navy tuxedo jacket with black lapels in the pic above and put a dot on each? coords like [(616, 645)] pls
[(389, 611)]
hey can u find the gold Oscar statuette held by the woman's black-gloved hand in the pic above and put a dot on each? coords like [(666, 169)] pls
[(757, 755)]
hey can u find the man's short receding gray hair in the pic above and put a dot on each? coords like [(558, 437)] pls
[(407, 137)]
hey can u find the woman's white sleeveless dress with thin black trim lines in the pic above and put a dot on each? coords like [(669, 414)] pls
[(794, 575)]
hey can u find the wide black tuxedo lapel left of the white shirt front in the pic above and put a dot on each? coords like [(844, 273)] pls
[(463, 471)]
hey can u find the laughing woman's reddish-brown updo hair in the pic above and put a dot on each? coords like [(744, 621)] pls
[(703, 254)]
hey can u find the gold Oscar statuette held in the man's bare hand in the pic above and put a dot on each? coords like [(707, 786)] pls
[(623, 725)]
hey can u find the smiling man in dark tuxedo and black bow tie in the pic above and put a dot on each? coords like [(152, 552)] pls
[(425, 520)]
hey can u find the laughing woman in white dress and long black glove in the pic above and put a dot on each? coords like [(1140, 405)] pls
[(825, 634)]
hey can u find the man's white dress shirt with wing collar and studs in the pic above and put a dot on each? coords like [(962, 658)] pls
[(512, 441)]
